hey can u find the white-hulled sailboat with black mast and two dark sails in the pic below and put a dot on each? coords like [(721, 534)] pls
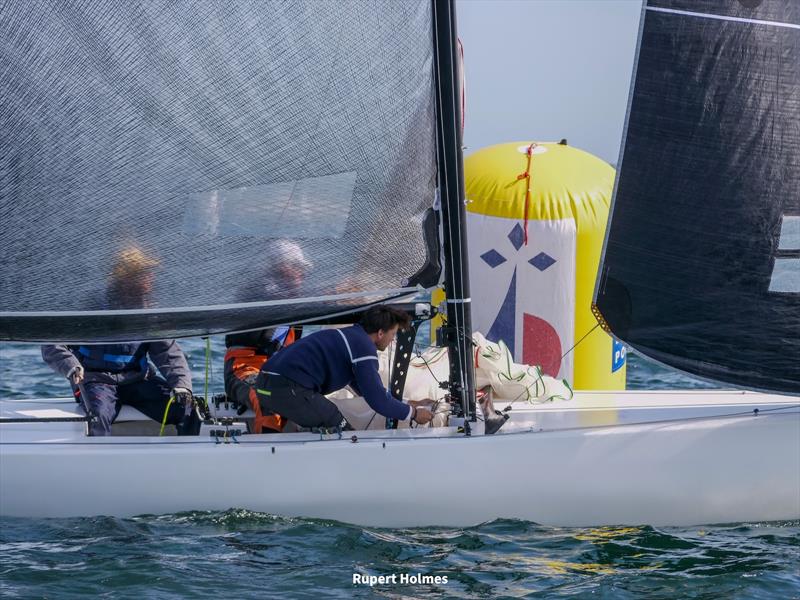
[(206, 134)]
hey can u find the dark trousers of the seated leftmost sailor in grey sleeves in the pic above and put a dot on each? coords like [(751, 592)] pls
[(150, 397)]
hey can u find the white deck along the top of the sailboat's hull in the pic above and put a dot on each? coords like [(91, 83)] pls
[(585, 410)]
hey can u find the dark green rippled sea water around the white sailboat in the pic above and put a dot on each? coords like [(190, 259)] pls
[(237, 554)]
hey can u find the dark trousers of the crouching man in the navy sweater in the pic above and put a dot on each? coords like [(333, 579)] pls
[(292, 401)]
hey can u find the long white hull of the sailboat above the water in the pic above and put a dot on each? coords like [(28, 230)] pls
[(601, 459)]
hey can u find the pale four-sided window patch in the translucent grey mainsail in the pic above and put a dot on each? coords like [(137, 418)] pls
[(317, 206)]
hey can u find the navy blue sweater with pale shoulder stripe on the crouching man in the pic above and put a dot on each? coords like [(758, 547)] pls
[(329, 360)]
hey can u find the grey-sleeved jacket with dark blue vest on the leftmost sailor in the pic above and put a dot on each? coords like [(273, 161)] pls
[(121, 364)]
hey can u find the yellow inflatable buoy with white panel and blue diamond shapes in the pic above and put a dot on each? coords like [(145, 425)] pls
[(536, 219)]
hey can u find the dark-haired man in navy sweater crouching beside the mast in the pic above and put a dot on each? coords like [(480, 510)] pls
[(293, 382)]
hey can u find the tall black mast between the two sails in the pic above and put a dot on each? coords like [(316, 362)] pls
[(458, 333)]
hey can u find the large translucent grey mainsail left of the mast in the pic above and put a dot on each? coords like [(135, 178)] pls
[(200, 137)]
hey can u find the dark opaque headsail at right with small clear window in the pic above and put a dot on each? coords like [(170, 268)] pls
[(701, 266)]
